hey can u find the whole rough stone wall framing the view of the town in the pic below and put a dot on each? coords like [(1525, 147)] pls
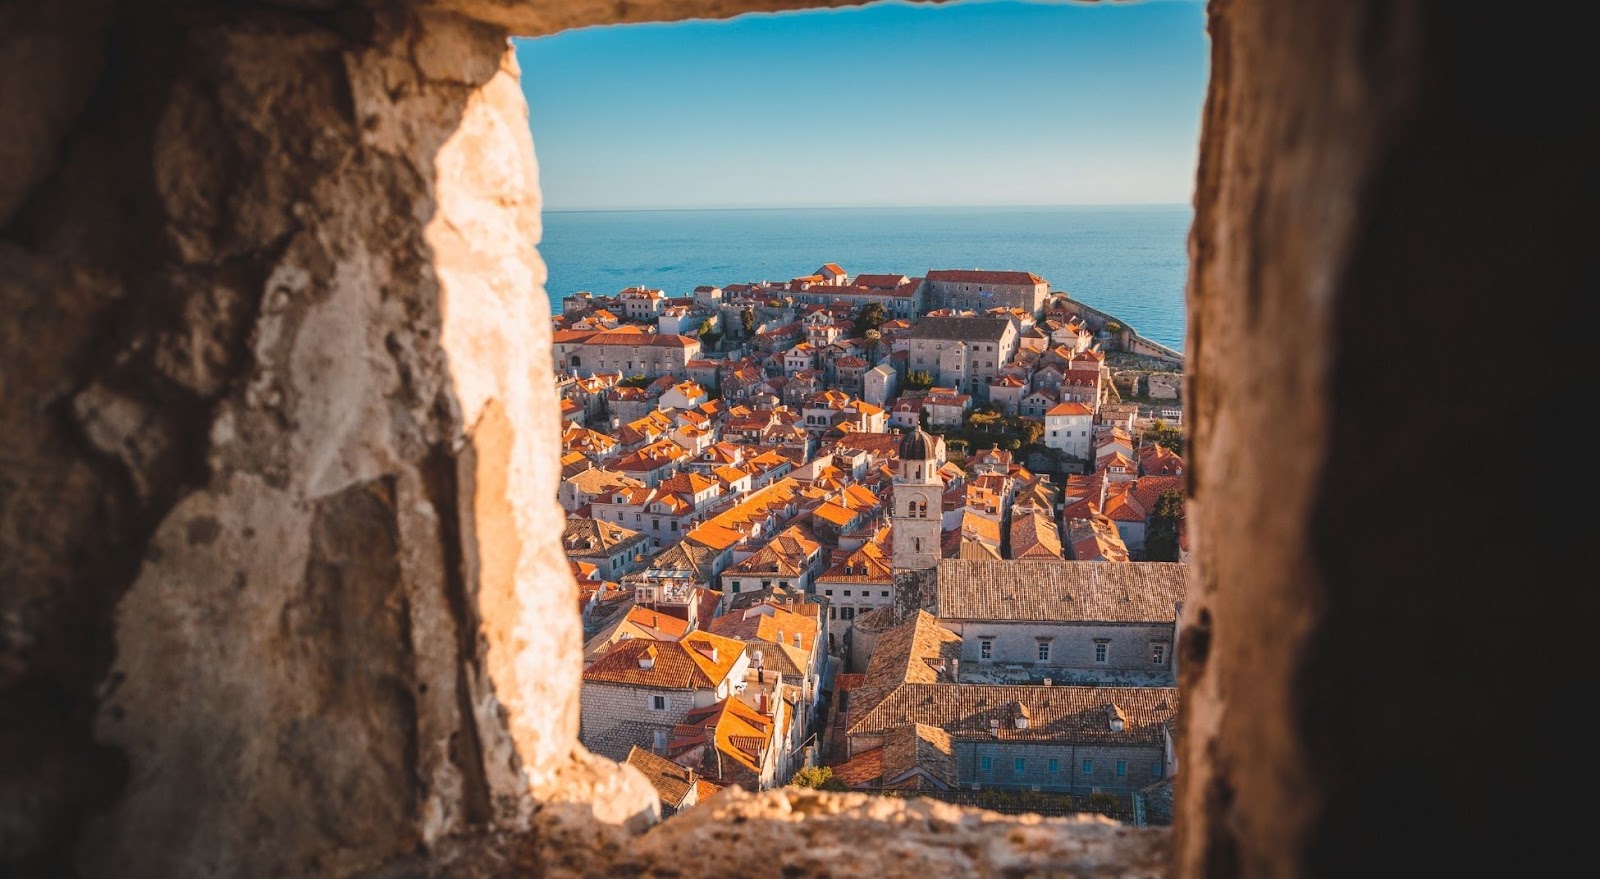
[(278, 524)]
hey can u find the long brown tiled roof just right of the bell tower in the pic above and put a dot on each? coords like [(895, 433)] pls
[(1062, 592)]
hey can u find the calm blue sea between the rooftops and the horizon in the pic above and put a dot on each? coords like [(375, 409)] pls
[(1130, 262)]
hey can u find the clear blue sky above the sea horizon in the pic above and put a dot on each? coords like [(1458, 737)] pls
[(892, 105)]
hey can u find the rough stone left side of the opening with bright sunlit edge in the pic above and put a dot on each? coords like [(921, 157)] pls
[(279, 499)]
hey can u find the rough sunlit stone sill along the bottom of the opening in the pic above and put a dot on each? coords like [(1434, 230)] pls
[(796, 833)]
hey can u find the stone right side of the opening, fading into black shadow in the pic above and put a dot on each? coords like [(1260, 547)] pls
[(1375, 182)]
